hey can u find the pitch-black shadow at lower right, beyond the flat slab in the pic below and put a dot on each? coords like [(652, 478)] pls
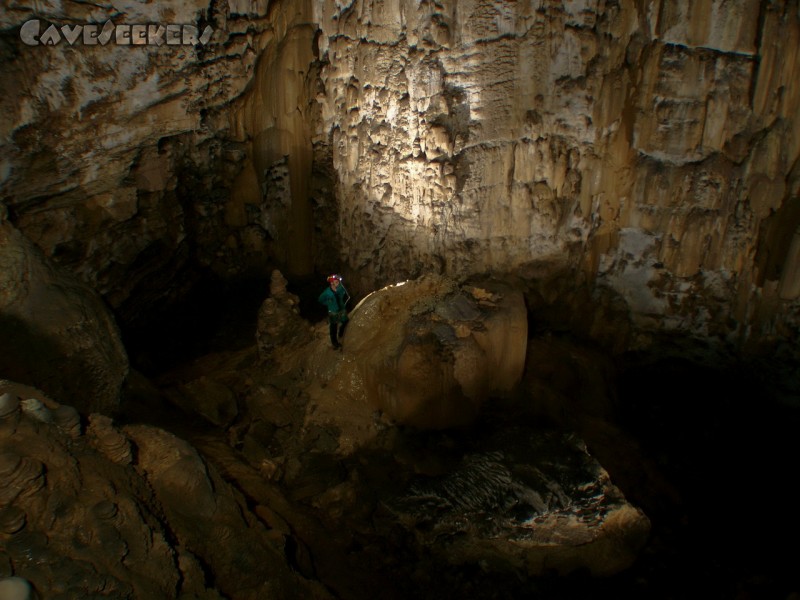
[(722, 439)]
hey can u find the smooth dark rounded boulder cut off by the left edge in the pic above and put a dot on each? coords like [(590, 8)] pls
[(58, 333)]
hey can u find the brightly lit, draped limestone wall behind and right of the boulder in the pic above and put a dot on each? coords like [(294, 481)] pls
[(649, 146)]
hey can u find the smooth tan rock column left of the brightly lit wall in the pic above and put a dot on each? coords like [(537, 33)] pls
[(273, 120)]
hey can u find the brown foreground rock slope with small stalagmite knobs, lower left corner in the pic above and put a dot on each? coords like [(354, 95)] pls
[(124, 512)]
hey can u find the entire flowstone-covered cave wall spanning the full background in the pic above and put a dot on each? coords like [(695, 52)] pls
[(640, 155)]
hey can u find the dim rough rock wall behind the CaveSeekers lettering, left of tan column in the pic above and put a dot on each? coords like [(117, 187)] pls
[(112, 159)]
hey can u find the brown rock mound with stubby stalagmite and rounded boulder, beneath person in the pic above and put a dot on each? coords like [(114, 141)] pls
[(427, 353)]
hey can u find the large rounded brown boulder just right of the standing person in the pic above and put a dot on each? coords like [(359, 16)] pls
[(430, 352)]
